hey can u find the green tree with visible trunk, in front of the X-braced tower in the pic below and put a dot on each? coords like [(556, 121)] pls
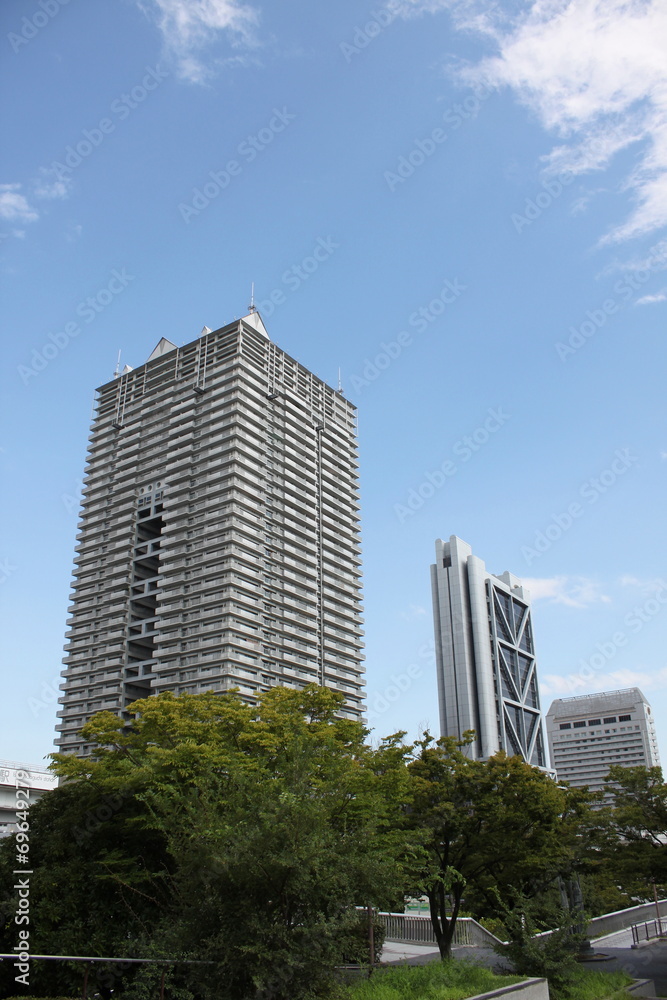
[(498, 831)]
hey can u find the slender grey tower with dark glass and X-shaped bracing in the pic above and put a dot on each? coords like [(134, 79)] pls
[(485, 656)]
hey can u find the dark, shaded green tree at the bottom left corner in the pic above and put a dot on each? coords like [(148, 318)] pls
[(99, 882)]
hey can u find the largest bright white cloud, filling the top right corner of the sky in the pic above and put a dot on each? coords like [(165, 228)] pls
[(594, 72)]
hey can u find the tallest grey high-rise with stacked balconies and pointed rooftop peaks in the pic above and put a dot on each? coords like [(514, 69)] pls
[(219, 536)]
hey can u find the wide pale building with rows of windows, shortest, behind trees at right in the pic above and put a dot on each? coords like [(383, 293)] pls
[(590, 732)]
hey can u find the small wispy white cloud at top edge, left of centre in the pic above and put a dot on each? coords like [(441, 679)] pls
[(189, 26)]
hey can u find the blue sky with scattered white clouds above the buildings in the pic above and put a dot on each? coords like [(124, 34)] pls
[(487, 184)]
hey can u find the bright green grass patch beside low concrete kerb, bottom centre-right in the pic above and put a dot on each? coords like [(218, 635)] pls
[(453, 980)]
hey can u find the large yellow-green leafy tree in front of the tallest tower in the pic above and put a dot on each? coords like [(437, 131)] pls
[(247, 836)]
